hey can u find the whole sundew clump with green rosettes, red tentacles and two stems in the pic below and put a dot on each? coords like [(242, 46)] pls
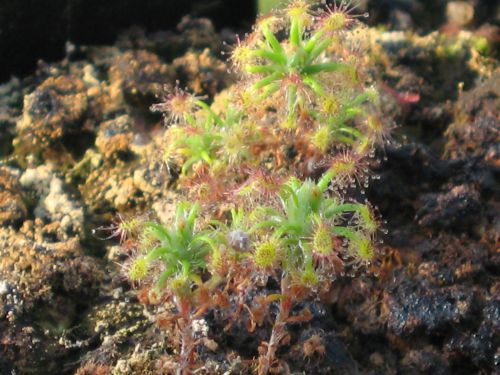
[(268, 164)]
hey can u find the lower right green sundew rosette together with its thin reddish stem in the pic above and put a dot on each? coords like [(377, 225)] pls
[(307, 238)]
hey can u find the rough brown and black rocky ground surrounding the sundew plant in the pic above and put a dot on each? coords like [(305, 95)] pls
[(86, 147)]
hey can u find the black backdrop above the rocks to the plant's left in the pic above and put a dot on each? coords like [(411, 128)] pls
[(38, 29)]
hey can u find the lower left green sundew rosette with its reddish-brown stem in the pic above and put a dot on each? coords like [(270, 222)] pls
[(178, 259)]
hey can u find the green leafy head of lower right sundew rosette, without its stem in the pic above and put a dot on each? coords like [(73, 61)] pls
[(307, 220)]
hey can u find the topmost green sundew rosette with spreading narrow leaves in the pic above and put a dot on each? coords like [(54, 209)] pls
[(290, 68)]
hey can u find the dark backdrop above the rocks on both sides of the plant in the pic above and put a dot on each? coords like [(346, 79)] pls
[(38, 29)]
